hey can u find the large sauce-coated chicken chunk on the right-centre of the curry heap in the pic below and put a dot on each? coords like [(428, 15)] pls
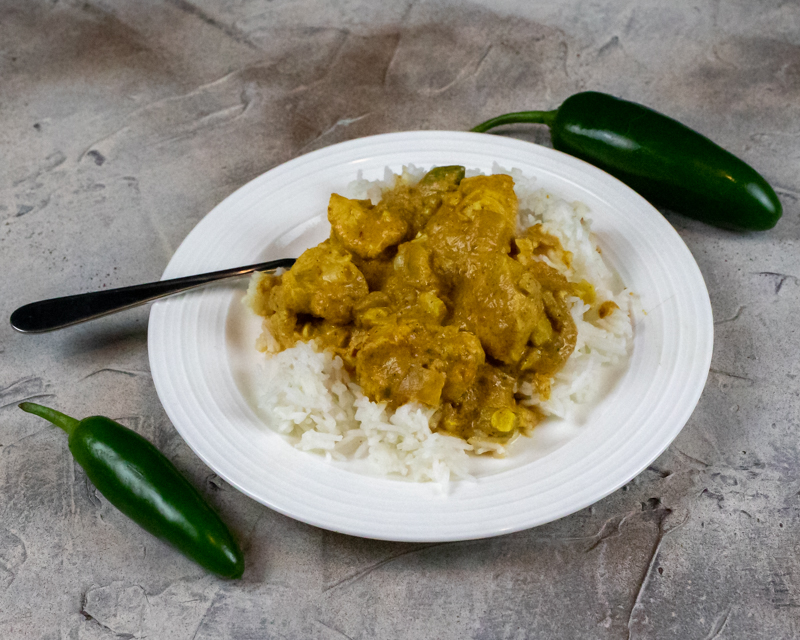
[(501, 304)]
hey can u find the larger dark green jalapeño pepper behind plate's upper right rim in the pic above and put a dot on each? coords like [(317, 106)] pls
[(665, 161)]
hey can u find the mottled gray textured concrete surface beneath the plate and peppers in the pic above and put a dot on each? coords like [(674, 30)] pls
[(124, 123)]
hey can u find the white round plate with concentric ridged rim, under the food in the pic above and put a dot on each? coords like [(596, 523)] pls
[(203, 359)]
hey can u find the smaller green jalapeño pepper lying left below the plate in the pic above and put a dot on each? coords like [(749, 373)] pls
[(137, 479)]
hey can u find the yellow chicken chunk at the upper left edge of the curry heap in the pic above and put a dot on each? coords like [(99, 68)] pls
[(364, 229)]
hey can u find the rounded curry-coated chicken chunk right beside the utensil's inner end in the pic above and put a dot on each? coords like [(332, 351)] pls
[(325, 283)]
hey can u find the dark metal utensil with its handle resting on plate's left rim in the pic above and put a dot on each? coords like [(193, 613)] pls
[(56, 313)]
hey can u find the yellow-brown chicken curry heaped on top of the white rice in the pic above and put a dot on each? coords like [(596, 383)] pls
[(430, 296)]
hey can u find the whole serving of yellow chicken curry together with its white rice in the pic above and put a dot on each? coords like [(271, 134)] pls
[(436, 319)]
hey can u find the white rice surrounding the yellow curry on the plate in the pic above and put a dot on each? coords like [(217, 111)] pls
[(308, 396)]
